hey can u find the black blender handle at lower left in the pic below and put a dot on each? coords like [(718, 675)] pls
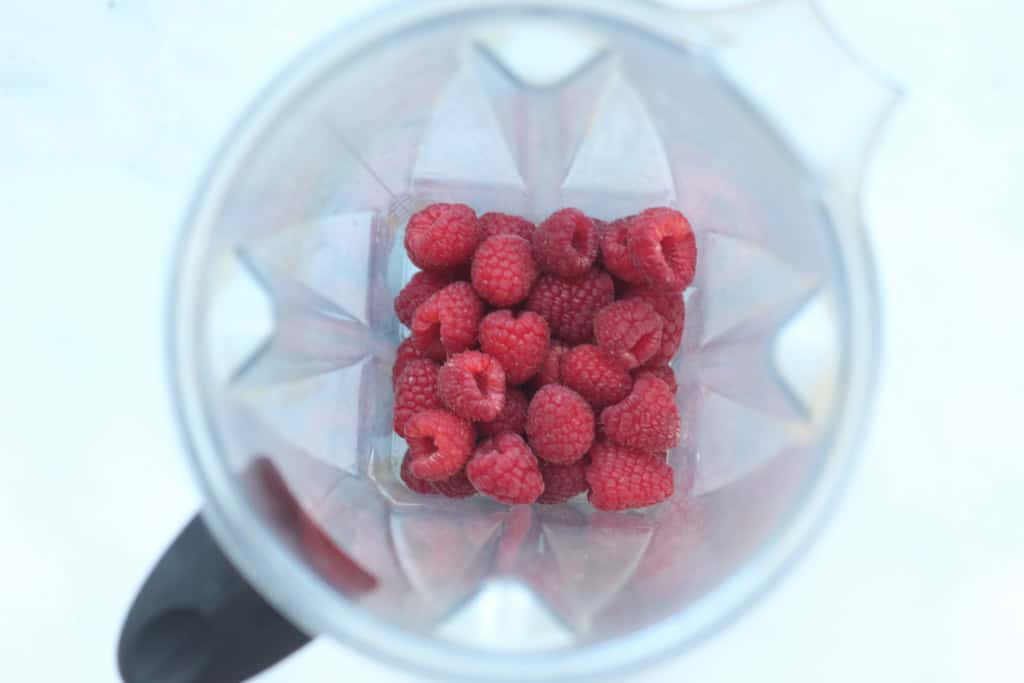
[(198, 621)]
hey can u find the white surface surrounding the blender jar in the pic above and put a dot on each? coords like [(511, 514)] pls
[(108, 113)]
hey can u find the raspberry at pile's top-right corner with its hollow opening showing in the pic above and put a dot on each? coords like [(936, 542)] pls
[(664, 249)]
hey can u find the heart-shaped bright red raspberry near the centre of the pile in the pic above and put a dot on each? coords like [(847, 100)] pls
[(521, 344)]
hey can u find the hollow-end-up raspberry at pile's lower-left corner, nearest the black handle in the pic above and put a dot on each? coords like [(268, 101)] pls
[(440, 442)]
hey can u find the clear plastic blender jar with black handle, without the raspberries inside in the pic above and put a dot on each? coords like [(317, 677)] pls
[(755, 122)]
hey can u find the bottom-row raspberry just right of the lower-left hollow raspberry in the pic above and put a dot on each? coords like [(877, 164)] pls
[(505, 469)]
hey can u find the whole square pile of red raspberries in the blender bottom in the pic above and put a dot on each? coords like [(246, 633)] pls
[(538, 364)]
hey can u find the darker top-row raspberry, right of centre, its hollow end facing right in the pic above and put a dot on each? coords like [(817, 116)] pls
[(567, 243)]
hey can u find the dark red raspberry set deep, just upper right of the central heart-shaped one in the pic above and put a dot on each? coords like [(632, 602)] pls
[(570, 306)]
